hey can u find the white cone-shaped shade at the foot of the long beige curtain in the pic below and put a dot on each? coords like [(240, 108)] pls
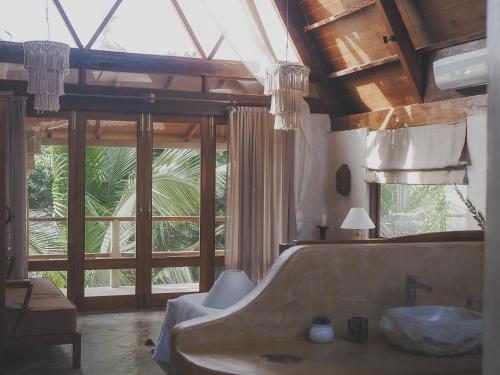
[(230, 287)]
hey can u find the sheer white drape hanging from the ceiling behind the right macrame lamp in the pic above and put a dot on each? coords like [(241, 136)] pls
[(241, 25)]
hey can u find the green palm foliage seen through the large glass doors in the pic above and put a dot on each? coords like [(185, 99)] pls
[(111, 192)]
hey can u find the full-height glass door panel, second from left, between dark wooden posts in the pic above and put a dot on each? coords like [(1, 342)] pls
[(110, 208)]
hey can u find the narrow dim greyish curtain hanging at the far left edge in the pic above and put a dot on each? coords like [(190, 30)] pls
[(16, 185)]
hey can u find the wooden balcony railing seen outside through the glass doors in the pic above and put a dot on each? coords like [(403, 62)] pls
[(115, 252)]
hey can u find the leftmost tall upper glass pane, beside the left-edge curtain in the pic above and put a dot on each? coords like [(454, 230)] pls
[(47, 187)]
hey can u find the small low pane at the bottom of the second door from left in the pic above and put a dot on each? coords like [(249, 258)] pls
[(119, 282)]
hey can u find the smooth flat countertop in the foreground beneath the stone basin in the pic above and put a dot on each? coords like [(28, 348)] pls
[(376, 357)]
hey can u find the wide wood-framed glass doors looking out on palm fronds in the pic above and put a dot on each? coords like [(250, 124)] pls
[(130, 191)]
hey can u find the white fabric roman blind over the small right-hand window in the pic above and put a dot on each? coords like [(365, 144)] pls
[(422, 155)]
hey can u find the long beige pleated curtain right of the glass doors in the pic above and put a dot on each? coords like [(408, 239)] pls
[(260, 210)]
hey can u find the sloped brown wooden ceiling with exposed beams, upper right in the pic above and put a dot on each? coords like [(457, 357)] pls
[(367, 55)]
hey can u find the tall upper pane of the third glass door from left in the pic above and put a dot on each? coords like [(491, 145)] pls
[(176, 187)]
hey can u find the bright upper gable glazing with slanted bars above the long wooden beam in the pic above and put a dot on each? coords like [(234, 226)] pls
[(162, 27)]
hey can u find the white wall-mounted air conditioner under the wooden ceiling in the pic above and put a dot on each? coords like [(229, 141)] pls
[(460, 71)]
